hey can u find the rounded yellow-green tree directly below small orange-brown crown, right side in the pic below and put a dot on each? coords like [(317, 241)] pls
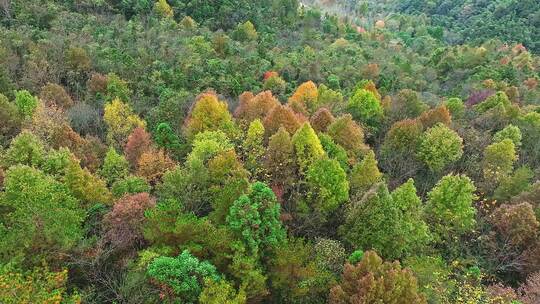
[(440, 146)]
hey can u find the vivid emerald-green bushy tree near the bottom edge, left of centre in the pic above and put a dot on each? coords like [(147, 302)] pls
[(184, 275)]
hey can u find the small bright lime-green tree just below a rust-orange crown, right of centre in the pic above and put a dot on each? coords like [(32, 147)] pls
[(364, 107)]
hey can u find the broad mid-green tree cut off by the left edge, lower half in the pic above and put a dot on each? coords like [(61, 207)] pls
[(43, 216)]
